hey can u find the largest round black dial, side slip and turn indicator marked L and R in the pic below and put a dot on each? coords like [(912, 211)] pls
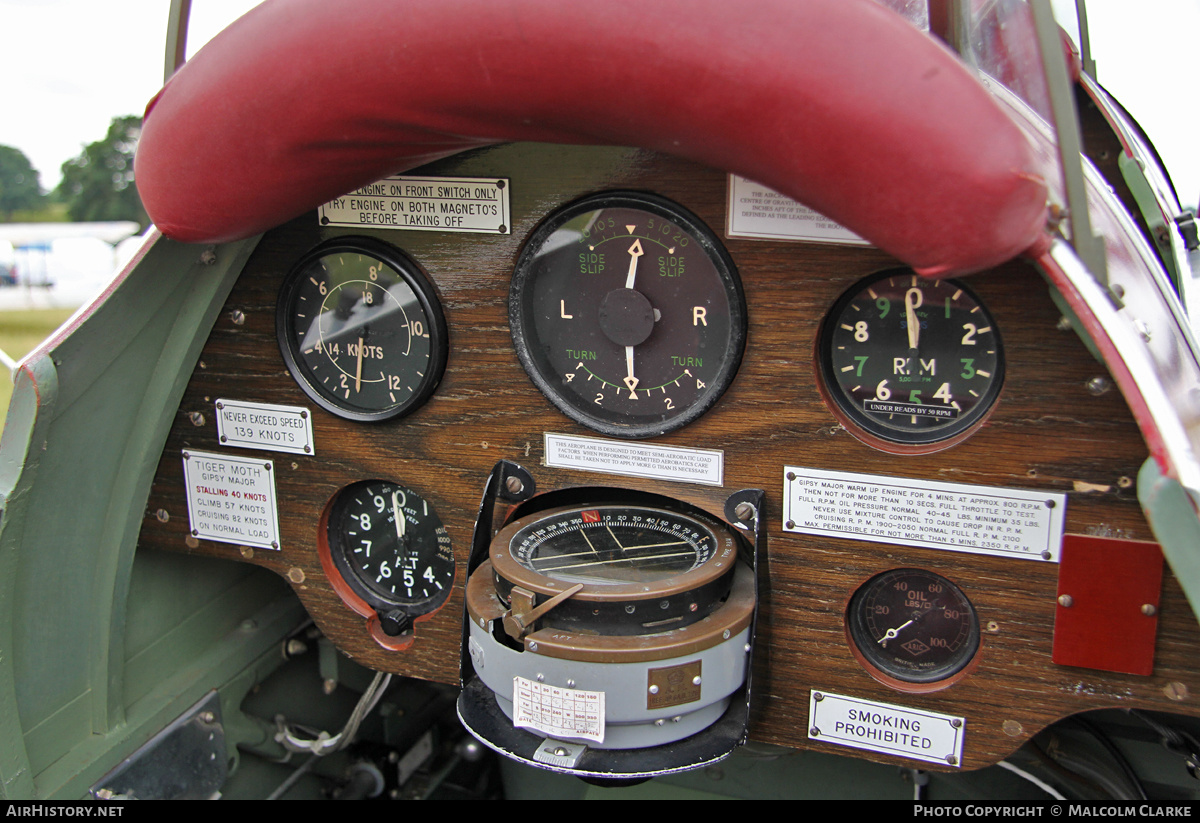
[(628, 314)]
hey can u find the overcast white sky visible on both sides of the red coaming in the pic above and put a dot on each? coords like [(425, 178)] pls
[(68, 68)]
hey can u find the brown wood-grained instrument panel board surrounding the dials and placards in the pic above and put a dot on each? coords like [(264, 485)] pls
[(1048, 432)]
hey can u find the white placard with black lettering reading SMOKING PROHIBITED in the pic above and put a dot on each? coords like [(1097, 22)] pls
[(886, 729)]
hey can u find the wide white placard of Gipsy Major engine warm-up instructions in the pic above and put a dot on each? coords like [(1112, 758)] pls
[(955, 518)]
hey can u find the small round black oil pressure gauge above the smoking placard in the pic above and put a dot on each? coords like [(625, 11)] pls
[(914, 626)]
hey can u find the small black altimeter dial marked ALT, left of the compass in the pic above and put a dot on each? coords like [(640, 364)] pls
[(391, 548)]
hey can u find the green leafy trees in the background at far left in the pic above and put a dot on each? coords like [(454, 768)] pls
[(97, 187)]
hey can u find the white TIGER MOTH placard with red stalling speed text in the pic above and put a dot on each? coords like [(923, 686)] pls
[(232, 500)]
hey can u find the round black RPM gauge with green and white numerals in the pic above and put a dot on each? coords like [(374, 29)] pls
[(911, 362)]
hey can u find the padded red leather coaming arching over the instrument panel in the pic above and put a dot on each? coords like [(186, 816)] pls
[(838, 104)]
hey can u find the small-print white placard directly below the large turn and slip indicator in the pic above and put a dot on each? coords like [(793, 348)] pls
[(635, 460)]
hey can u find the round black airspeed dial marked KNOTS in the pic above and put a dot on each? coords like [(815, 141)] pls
[(362, 329)]
